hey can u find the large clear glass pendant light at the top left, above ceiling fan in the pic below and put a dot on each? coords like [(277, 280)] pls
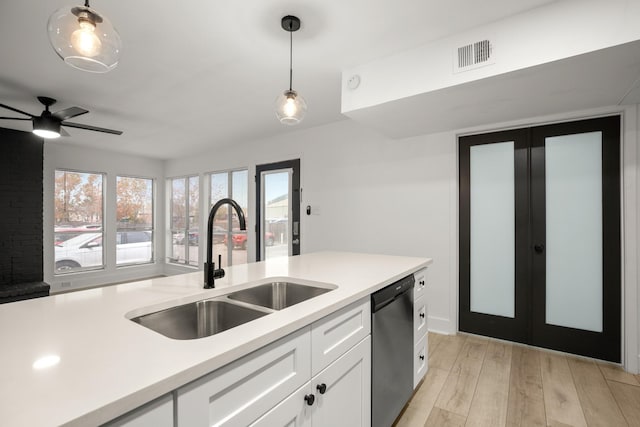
[(84, 38)]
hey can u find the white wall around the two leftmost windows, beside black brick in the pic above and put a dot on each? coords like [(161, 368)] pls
[(57, 155)]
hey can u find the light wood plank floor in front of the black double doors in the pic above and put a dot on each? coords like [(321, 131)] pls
[(476, 381)]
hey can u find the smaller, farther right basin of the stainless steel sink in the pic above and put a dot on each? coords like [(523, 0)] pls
[(277, 295)]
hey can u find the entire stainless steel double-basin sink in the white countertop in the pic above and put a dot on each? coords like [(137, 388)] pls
[(214, 315)]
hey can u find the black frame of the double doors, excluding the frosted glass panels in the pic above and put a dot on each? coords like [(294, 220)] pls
[(529, 325)]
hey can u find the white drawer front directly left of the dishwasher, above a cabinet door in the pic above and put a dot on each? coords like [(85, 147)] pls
[(338, 332)]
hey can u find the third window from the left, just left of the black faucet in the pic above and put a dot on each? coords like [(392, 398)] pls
[(185, 197)]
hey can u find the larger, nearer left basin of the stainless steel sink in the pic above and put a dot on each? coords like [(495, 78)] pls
[(198, 319)]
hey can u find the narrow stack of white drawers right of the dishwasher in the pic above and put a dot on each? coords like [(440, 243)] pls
[(420, 338)]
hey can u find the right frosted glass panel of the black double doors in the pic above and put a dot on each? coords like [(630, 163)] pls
[(573, 182)]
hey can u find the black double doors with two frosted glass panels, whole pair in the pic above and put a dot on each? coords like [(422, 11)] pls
[(540, 257)]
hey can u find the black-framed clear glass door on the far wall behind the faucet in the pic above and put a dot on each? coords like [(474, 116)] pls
[(278, 209)]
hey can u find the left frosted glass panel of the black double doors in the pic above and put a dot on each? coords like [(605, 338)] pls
[(492, 236)]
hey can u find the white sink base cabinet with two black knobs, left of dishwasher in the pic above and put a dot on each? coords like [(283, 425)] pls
[(329, 360)]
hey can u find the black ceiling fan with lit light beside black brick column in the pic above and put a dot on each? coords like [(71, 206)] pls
[(48, 124)]
